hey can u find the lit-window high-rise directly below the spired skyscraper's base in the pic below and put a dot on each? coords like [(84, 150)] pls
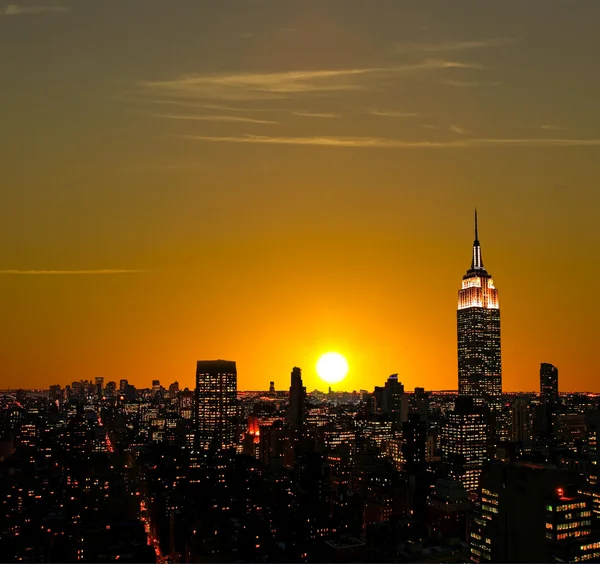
[(464, 443)]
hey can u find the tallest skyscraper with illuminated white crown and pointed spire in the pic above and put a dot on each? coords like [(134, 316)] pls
[(478, 324)]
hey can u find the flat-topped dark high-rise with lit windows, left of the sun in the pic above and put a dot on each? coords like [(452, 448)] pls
[(216, 404)]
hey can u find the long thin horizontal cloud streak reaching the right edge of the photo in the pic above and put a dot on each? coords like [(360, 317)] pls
[(384, 143)]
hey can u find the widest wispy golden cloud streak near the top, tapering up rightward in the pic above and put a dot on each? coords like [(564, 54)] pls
[(278, 85)]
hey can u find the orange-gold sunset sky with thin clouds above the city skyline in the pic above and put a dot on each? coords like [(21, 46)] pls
[(266, 181)]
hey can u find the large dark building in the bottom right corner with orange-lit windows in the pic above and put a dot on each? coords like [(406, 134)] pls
[(532, 513)]
